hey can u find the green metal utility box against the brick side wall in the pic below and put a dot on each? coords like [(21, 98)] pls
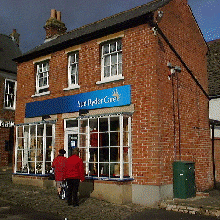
[(184, 179)]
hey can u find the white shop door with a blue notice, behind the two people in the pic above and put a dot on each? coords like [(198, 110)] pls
[(71, 141)]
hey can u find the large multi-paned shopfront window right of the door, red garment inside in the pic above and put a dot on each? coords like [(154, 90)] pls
[(105, 145)]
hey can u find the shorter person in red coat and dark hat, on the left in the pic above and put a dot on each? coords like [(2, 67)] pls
[(58, 165)]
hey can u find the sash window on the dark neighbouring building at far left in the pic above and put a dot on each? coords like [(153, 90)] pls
[(10, 94)]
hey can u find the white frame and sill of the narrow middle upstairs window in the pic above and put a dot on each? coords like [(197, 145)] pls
[(71, 64)]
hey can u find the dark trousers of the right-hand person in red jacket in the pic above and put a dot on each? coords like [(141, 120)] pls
[(72, 190)]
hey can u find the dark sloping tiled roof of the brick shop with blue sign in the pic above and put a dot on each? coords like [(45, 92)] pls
[(105, 26)]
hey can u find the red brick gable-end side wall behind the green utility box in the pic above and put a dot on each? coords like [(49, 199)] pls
[(181, 30)]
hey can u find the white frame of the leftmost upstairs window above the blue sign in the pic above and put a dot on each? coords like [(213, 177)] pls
[(45, 75)]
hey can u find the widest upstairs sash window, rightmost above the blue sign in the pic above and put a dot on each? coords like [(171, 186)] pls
[(112, 60)]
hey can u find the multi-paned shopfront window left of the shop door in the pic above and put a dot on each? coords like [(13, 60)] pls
[(34, 151)]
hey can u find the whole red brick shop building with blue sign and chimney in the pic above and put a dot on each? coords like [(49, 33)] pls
[(129, 91)]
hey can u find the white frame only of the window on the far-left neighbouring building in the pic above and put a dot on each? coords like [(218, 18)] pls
[(8, 95)]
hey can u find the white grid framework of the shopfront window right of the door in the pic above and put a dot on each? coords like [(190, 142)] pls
[(87, 148)]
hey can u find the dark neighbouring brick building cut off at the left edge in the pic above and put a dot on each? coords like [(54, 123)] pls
[(9, 49)]
